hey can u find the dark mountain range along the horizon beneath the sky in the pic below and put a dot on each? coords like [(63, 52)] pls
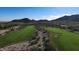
[(64, 18)]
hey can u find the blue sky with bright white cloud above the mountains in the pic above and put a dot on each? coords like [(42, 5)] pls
[(50, 13)]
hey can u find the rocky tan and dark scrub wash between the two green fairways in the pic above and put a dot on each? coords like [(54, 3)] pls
[(39, 43)]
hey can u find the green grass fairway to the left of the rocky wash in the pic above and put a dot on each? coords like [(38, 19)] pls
[(24, 34)]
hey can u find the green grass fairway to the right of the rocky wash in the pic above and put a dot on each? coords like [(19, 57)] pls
[(64, 40)]
